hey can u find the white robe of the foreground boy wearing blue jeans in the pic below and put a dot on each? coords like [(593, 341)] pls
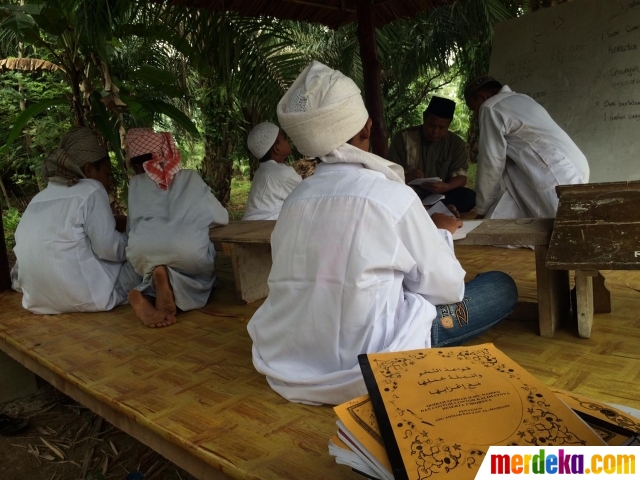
[(358, 266)]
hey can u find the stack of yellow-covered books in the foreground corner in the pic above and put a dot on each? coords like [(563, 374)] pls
[(439, 409)]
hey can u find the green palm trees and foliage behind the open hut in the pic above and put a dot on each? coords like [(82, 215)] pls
[(152, 64)]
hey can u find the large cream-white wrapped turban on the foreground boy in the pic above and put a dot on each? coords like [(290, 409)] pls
[(322, 110)]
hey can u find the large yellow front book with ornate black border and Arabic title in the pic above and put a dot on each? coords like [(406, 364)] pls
[(439, 410)]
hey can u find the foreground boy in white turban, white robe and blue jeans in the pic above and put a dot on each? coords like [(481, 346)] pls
[(358, 264)]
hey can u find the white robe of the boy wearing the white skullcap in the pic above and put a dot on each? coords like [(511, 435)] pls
[(272, 183)]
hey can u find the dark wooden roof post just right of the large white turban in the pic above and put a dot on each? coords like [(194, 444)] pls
[(371, 70)]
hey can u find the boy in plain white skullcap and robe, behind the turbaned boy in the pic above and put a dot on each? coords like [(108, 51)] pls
[(273, 181)]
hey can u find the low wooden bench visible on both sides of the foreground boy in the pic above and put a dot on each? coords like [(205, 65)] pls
[(248, 245)]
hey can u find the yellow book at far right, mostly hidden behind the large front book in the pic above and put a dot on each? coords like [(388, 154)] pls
[(615, 427)]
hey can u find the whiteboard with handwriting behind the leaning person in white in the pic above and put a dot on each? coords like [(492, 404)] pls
[(581, 61)]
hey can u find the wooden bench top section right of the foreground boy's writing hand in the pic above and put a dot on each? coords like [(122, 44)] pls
[(521, 231)]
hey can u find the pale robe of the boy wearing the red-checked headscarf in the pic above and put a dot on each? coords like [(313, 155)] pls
[(171, 228)]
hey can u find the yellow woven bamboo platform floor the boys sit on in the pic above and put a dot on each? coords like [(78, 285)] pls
[(190, 391)]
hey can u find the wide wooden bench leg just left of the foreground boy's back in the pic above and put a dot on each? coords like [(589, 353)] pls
[(251, 267)]
